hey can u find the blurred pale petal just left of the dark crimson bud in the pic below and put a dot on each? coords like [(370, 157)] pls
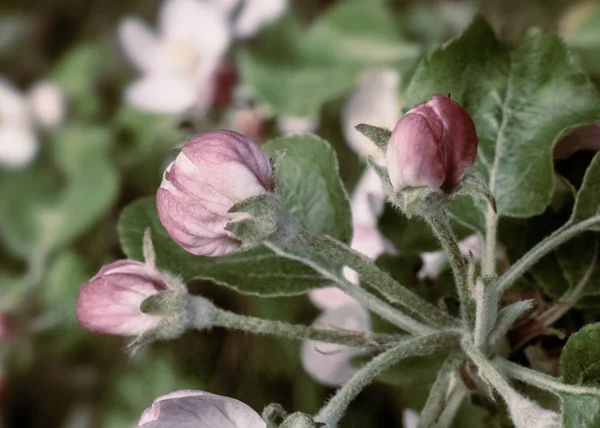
[(374, 102)]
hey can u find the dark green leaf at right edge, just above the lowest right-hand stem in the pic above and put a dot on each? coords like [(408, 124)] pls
[(580, 359)]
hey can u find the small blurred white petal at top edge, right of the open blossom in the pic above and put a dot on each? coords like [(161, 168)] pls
[(256, 14)]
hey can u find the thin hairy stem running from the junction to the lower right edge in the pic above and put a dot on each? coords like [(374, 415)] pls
[(541, 380)]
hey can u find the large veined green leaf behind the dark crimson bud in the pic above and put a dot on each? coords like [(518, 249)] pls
[(521, 100)]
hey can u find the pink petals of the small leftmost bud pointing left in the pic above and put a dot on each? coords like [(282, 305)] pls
[(110, 302)]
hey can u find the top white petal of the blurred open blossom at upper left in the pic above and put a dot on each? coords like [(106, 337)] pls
[(199, 22)]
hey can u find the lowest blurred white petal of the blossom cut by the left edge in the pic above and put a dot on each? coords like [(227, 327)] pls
[(18, 147)]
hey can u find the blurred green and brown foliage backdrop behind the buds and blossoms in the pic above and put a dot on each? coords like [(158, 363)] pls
[(58, 213)]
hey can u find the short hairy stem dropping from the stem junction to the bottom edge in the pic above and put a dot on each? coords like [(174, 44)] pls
[(440, 392)]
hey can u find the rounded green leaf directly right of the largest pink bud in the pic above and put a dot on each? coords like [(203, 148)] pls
[(308, 178)]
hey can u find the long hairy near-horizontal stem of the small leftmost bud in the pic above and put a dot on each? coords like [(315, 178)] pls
[(223, 318)]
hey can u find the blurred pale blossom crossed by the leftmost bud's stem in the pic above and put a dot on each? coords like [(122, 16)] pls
[(329, 363)]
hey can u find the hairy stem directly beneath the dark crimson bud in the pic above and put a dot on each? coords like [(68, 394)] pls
[(437, 219)]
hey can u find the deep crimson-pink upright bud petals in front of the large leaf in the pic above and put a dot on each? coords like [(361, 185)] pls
[(432, 145)]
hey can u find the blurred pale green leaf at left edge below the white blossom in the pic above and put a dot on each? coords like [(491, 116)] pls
[(44, 210)]
